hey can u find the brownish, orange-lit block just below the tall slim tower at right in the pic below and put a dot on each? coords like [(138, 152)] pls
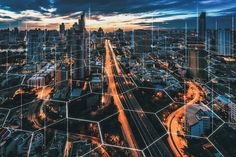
[(197, 60)]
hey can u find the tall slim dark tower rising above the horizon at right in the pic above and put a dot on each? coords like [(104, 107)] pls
[(202, 26)]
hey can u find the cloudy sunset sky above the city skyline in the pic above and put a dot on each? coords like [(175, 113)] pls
[(114, 14)]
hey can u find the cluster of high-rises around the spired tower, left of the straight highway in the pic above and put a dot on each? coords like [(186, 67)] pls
[(73, 43)]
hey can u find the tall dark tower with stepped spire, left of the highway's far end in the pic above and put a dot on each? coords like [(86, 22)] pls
[(79, 48)]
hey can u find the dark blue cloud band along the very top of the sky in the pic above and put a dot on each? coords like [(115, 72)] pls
[(111, 6)]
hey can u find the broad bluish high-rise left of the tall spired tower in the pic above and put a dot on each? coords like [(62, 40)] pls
[(34, 43)]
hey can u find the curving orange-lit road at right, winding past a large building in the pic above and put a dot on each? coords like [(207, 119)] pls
[(177, 144)]
